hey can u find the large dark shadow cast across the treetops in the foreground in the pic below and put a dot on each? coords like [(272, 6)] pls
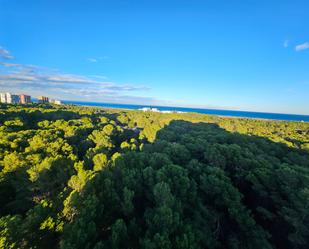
[(191, 158)]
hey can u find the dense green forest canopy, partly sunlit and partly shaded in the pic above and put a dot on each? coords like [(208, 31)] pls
[(92, 178)]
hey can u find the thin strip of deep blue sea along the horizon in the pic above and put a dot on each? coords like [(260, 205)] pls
[(243, 114)]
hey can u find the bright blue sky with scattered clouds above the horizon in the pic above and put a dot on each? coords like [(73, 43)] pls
[(222, 54)]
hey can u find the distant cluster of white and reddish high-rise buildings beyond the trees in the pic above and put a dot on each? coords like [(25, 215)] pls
[(10, 98)]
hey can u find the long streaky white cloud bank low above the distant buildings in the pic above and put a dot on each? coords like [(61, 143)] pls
[(29, 77)]
